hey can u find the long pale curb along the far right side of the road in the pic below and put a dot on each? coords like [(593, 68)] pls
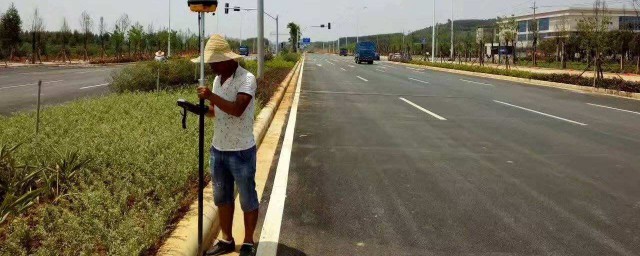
[(570, 87)]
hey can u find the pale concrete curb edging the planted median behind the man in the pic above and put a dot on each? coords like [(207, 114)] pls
[(184, 239)]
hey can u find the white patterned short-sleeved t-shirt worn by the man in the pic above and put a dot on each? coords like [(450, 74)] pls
[(233, 133)]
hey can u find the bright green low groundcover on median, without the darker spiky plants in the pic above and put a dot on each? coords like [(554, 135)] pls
[(143, 163)]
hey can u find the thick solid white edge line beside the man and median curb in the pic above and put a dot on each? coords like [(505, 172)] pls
[(270, 234)]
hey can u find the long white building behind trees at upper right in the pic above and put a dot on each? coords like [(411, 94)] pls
[(553, 22)]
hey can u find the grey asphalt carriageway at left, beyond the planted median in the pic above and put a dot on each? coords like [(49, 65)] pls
[(19, 90)]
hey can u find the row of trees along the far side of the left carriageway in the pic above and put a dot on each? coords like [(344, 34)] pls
[(122, 40)]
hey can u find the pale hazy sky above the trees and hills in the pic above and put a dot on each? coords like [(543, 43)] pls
[(348, 17)]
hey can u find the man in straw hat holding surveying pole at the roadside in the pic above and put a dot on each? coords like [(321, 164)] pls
[(233, 150)]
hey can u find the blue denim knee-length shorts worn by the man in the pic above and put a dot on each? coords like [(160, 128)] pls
[(228, 167)]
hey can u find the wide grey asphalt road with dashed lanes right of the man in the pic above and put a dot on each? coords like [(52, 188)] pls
[(391, 160)]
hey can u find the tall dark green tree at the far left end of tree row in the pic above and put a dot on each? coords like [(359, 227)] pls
[(10, 29)]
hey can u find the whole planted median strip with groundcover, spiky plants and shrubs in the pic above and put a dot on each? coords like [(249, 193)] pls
[(107, 175)]
